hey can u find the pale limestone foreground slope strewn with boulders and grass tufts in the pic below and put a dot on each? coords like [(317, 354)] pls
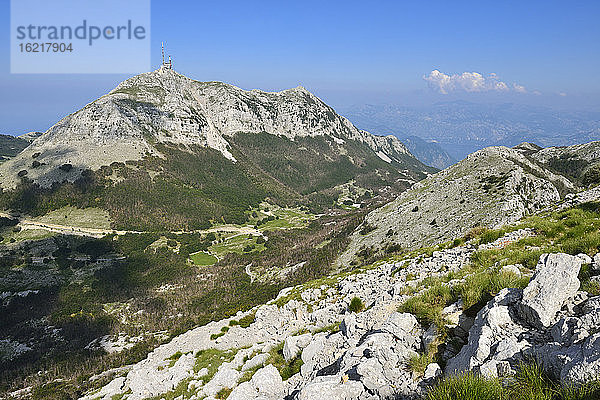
[(331, 352)]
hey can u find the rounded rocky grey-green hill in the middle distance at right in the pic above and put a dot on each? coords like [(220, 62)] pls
[(489, 188)]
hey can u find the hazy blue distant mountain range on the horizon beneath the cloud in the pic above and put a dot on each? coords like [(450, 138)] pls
[(461, 127)]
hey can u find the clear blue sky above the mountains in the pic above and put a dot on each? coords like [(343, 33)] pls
[(347, 52)]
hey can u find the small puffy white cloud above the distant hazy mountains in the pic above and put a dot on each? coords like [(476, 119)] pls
[(470, 82)]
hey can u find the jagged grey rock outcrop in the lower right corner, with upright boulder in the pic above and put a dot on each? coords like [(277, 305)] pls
[(549, 321)]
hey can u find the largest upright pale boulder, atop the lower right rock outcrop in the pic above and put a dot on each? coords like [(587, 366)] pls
[(554, 282)]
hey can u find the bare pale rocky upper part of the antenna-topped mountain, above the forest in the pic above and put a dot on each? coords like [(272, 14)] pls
[(165, 107)]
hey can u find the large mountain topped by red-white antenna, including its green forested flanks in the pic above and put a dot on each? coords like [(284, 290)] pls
[(240, 148)]
